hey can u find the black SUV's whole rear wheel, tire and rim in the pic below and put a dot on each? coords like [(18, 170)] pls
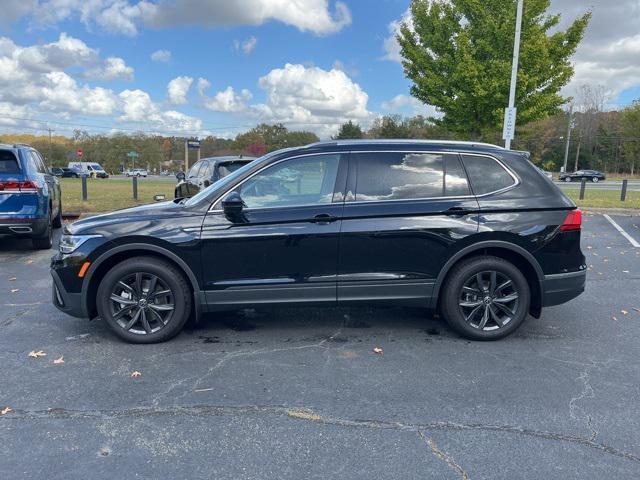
[(458, 300)]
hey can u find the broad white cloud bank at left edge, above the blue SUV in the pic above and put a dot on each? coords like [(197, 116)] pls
[(34, 83)]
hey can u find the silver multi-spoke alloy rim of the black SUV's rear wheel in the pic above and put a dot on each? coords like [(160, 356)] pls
[(489, 300)]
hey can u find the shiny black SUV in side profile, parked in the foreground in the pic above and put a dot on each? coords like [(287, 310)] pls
[(472, 230)]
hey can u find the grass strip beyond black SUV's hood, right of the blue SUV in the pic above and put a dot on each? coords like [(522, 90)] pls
[(106, 195)]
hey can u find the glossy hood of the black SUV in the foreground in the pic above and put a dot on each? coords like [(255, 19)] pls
[(142, 214)]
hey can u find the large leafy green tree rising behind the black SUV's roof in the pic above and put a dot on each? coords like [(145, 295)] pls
[(458, 54)]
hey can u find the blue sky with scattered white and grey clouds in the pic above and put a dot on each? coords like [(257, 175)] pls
[(219, 67)]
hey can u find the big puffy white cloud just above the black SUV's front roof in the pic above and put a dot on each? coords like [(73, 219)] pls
[(311, 98)]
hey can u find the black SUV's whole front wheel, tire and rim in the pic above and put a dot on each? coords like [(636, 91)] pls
[(151, 328)]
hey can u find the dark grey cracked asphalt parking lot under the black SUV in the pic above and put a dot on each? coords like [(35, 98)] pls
[(300, 394)]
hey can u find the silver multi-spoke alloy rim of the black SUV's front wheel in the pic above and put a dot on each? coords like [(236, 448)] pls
[(141, 303)]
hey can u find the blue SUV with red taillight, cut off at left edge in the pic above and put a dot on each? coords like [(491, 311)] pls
[(30, 200)]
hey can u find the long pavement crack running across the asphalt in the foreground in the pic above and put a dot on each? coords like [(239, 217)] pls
[(306, 414)]
